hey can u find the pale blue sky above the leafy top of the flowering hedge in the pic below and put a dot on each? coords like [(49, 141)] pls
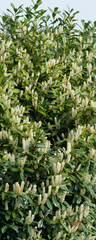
[(87, 8)]
